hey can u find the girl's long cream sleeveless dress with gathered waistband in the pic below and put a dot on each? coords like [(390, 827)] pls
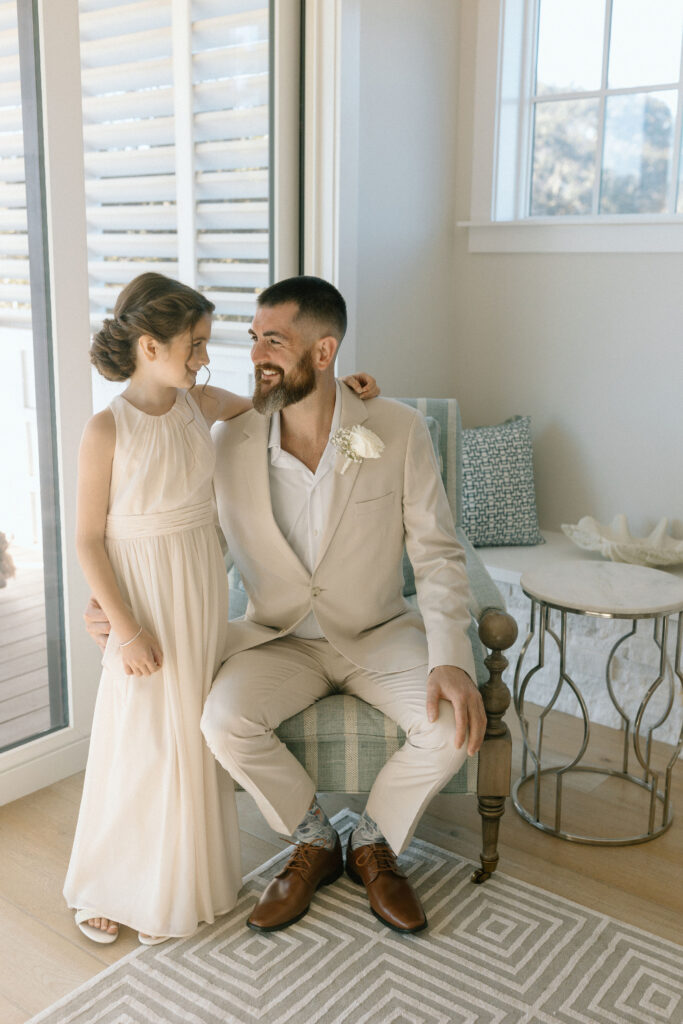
[(157, 844)]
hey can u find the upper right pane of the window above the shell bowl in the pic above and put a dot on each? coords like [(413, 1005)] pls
[(646, 42)]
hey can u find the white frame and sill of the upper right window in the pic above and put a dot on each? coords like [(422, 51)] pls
[(503, 88)]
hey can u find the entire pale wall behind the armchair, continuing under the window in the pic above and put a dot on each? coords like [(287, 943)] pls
[(589, 347)]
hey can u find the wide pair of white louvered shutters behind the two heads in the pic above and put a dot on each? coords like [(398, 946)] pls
[(176, 112)]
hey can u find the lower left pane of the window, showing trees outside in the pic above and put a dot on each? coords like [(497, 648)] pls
[(565, 156)]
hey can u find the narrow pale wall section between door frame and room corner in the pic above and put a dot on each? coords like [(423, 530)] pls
[(406, 214)]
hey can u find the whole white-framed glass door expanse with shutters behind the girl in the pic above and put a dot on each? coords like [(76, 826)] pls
[(125, 101)]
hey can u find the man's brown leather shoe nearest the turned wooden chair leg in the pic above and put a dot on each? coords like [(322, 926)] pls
[(391, 894)]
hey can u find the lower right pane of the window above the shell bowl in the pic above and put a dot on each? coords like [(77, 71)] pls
[(637, 159)]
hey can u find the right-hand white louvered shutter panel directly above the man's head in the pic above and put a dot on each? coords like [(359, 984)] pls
[(231, 73)]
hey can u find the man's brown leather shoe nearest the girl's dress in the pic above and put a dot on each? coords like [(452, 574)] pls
[(288, 897)]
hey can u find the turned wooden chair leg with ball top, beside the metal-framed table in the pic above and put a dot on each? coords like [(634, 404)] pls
[(498, 631)]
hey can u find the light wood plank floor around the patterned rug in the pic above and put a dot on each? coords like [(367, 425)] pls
[(45, 957)]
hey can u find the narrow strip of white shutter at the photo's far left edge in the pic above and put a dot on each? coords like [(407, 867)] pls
[(15, 278)]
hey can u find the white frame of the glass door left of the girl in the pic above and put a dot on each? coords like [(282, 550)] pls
[(57, 755)]
